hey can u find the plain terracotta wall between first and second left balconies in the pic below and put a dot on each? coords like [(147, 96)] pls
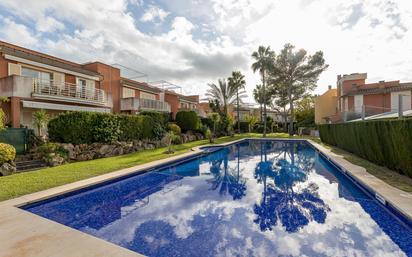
[(110, 82)]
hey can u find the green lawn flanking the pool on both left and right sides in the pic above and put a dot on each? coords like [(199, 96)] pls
[(34, 181)]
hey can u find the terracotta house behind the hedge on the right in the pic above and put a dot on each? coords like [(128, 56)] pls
[(356, 98)]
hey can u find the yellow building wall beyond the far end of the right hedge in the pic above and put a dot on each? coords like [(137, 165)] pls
[(326, 105)]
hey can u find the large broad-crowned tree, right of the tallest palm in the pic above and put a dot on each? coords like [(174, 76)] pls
[(299, 72)]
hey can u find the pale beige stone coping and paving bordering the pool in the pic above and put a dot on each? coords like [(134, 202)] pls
[(399, 200)]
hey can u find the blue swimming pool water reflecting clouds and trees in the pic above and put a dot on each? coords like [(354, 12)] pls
[(254, 198)]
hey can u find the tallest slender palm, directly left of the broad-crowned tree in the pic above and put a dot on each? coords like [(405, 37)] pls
[(264, 59)]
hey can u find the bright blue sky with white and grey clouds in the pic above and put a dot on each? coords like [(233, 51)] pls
[(193, 43)]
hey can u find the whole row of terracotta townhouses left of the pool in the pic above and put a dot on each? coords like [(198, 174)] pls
[(32, 80)]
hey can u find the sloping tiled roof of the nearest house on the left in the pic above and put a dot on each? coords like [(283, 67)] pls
[(34, 56)]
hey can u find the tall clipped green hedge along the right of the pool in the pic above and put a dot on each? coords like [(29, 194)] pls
[(385, 142)]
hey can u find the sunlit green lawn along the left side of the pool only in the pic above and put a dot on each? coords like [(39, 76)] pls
[(34, 181)]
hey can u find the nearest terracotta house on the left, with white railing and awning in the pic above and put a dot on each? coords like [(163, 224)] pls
[(32, 81)]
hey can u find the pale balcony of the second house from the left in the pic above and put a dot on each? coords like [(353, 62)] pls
[(141, 104)]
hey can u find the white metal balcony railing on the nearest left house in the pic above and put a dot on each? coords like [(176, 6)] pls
[(76, 93)]
